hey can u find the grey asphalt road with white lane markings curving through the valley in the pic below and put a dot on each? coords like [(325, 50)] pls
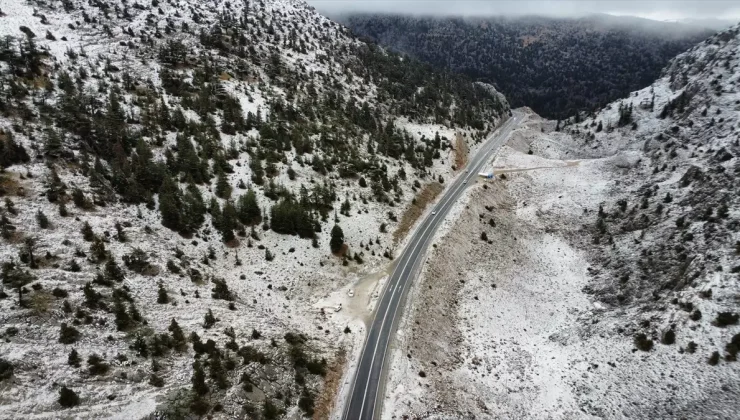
[(366, 396)]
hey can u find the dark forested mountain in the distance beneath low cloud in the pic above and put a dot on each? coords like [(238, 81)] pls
[(554, 66)]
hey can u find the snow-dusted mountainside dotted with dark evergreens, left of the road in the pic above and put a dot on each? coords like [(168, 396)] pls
[(173, 171)]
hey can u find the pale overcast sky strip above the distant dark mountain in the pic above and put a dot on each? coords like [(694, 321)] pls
[(651, 9)]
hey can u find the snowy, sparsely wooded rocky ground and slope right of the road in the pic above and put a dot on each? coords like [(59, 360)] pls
[(597, 277)]
